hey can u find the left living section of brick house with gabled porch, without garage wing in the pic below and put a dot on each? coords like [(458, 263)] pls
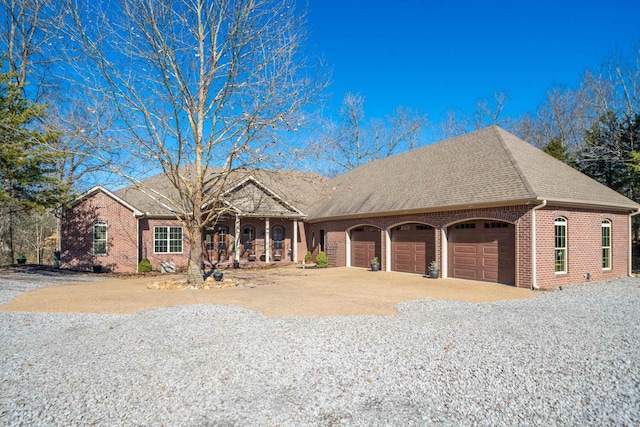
[(117, 229)]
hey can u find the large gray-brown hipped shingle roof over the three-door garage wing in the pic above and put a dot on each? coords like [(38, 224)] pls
[(487, 167)]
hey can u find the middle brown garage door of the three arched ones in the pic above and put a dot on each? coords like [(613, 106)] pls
[(412, 248)]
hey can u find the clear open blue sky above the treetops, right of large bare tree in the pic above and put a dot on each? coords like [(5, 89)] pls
[(445, 55)]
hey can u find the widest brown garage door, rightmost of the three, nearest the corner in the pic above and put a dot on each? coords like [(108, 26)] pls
[(482, 250)]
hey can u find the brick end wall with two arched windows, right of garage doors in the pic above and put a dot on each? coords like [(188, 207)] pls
[(584, 245)]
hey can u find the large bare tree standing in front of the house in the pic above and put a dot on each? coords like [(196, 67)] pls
[(201, 89)]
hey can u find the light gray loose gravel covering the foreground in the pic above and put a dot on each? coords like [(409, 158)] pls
[(569, 357)]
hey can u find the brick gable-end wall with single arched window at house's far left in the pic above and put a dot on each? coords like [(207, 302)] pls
[(76, 238)]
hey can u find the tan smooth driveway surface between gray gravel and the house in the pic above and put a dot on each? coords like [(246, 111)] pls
[(281, 292)]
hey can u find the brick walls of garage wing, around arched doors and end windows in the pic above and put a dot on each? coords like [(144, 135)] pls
[(584, 240)]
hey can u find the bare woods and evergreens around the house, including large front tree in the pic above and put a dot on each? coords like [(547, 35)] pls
[(199, 89)]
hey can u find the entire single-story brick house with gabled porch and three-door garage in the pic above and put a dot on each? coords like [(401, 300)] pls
[(484, 206)]
